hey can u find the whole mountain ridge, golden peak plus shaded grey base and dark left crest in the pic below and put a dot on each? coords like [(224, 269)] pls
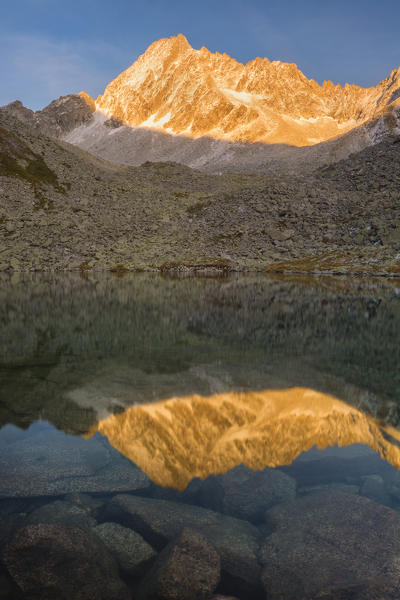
[(210, 112)]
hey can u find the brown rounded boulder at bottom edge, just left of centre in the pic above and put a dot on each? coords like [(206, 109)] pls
[(187, 569)]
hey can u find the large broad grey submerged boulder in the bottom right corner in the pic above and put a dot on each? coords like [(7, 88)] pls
[(330, 545)]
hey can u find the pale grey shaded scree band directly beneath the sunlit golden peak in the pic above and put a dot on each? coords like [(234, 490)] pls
[(114, 141)]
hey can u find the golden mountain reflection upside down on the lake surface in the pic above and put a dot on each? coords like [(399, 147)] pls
[(181, 438)]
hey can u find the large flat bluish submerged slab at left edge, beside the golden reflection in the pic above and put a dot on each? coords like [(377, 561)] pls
[(54, 464)]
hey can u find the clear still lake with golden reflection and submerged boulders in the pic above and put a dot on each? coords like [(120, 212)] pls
[(258, 415)]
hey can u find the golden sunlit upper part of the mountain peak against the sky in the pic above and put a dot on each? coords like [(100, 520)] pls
[(178, 90)]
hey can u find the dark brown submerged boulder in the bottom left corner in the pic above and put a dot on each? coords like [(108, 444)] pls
[(52, 562)]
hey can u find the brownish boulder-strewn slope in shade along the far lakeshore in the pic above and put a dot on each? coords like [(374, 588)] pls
[(63, 208)]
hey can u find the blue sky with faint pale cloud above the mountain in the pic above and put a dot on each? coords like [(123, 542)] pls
[(50, 48)]
